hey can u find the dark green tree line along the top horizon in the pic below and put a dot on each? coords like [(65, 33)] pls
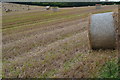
[(66, 4)]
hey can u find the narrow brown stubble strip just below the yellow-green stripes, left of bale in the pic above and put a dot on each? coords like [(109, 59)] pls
[(13, 37)]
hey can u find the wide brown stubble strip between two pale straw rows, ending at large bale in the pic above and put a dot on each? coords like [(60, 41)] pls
[(34, 41)]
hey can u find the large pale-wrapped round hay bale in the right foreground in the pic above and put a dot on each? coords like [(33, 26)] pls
[(102, 31)]
